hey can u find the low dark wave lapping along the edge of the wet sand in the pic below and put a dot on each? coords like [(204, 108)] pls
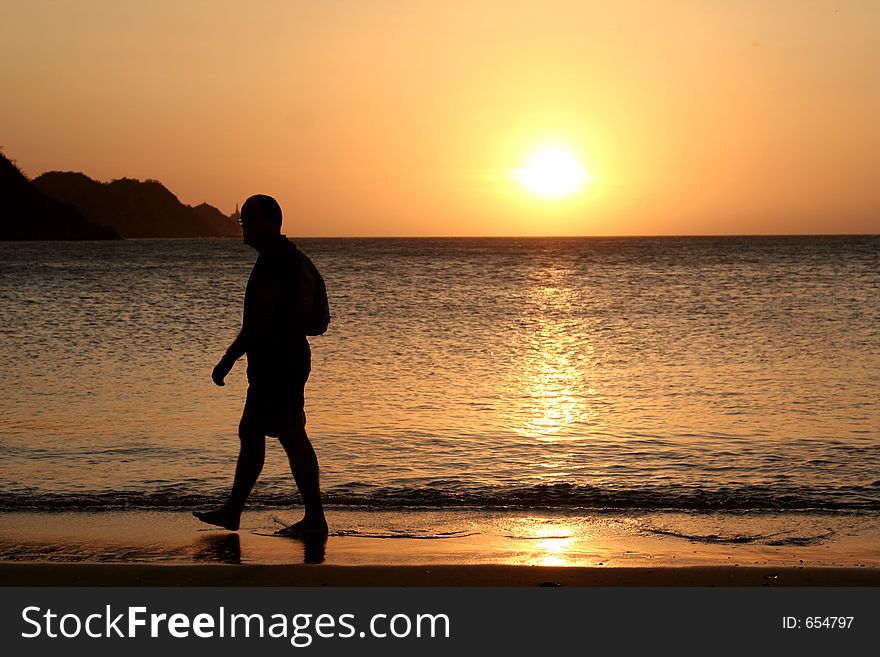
[(452, 494)]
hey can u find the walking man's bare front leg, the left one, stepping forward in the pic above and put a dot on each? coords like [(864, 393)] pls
[(251, 456)]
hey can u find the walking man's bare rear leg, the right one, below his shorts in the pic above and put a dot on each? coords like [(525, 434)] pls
[(304, 467)]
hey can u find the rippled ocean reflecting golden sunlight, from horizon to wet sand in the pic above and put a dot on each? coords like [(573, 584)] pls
[(572, 375)]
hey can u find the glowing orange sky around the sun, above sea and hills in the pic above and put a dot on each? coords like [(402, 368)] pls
[(407, 117)]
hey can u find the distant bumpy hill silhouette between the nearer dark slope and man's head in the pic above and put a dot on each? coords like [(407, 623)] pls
[(136, 208)]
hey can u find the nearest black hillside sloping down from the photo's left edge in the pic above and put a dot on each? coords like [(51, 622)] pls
[(28, 214)]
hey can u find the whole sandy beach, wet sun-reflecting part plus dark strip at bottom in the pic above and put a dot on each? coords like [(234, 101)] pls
[(440, 549)]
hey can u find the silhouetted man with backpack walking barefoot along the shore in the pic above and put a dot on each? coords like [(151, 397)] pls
[(273, 335)]
